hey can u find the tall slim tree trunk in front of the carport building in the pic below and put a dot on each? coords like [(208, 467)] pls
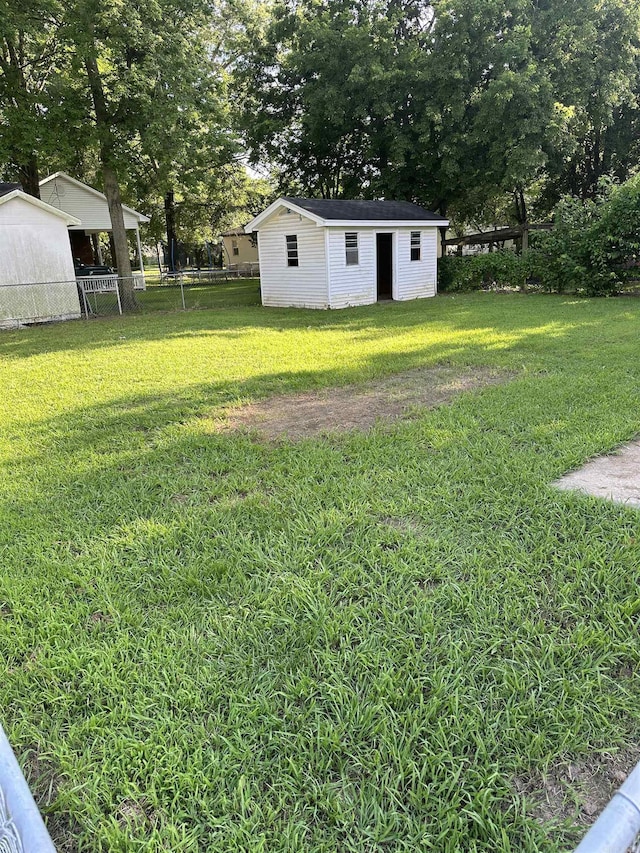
[(111, 185)]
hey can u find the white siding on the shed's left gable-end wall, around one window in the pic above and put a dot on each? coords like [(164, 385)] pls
[(304, 286)]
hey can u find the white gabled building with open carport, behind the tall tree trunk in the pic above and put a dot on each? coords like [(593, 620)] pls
[(90, 208)]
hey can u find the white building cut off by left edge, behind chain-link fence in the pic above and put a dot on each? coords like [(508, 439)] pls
[(37, 278)]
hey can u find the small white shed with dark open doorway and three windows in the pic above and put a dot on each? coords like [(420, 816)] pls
[(321, 253)]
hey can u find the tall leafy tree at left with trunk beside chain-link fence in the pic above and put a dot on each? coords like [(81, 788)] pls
[(137, 100)]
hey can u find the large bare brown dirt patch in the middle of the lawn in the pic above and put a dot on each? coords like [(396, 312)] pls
[(359, 407)]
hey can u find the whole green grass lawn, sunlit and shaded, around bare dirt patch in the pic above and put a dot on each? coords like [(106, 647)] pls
[(354, 643)]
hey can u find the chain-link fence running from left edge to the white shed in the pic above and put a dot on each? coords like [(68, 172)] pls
[(89, 297)]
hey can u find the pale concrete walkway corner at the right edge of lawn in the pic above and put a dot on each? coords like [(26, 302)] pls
[(616, 476)]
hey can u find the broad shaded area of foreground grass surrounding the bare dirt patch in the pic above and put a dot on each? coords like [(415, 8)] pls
[(339, 621)]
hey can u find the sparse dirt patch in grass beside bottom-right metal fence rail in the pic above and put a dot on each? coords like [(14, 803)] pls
[(577, 792)]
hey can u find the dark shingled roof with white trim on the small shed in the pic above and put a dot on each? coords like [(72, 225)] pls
[(347, 212)]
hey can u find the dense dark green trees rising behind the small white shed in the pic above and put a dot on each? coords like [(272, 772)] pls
[(470, 106)]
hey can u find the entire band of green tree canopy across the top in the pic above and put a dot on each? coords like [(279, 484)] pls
[(486, 110)]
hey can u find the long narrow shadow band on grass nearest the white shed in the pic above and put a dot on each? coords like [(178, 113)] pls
[(501, 313)]
